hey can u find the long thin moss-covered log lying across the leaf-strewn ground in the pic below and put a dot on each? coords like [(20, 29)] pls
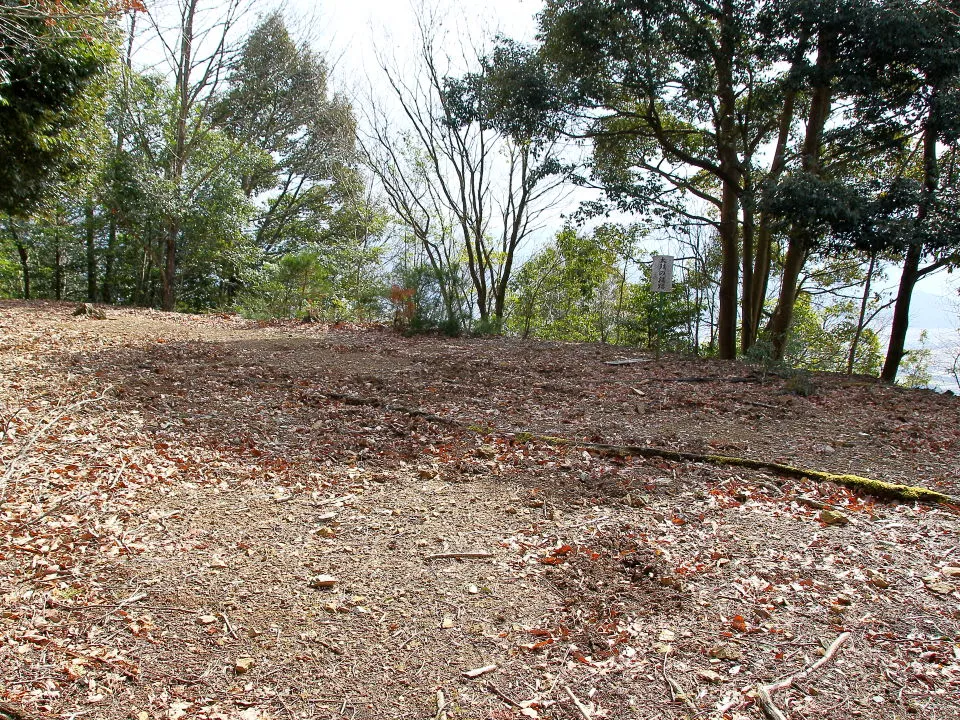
[(877, 488)]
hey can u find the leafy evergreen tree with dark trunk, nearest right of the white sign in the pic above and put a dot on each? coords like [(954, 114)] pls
[(663, 89)]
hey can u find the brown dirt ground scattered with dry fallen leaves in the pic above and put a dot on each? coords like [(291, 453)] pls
[(206, 517)]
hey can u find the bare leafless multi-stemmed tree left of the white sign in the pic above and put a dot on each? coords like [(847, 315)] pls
[(483, 188)]
